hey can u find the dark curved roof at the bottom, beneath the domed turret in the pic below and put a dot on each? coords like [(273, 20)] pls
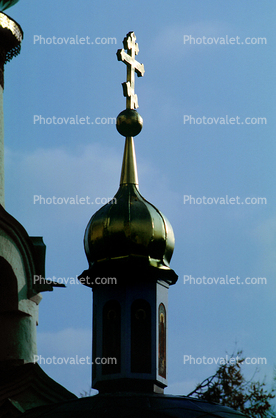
[(134, 405)]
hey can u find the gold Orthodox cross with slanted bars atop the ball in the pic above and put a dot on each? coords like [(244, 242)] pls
[(132, 66)]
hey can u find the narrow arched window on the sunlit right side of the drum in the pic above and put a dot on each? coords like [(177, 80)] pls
[(162, 329)]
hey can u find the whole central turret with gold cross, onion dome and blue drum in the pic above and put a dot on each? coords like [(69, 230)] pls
[(131, 241)]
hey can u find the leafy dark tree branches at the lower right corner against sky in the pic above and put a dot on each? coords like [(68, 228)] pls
[(229, 387)]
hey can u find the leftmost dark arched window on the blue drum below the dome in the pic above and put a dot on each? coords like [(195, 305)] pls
[(111, 337)]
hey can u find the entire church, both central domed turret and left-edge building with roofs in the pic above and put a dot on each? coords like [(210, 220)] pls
[(129, 239)]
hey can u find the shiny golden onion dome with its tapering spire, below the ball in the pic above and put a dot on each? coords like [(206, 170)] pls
[(130, 231)]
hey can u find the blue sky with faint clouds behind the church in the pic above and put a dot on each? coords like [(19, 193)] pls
[(174, 159)]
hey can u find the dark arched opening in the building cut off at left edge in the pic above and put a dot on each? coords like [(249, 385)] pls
[(8, 287)]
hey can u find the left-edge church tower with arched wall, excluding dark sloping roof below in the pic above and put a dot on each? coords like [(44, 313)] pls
[(21, 257)]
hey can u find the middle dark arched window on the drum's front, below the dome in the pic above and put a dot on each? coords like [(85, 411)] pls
[(140, 337)]
